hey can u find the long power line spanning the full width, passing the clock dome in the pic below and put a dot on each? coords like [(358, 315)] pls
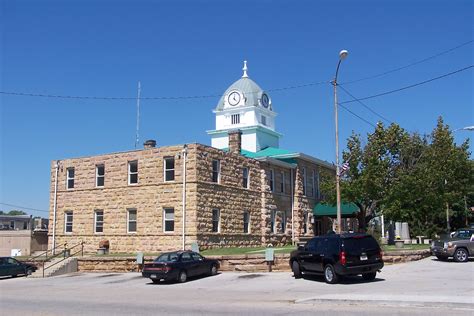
[(220, 95)]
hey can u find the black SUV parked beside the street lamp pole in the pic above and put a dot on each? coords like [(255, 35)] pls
[(337, 255)]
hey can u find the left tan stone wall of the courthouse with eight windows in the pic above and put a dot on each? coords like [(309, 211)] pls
[(149, 197)]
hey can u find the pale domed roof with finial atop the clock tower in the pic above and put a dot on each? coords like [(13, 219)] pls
[(250, 90)]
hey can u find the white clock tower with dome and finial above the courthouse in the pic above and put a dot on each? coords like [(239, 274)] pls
[(248, 108)]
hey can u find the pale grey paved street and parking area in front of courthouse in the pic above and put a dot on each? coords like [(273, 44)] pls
[(426, 287)]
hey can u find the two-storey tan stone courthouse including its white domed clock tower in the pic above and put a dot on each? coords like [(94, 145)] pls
[(243, 190)]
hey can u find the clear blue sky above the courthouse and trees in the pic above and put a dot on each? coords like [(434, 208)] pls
[(187, 48)]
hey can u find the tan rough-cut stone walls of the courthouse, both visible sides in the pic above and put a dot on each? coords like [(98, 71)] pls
[(151, 195)]
